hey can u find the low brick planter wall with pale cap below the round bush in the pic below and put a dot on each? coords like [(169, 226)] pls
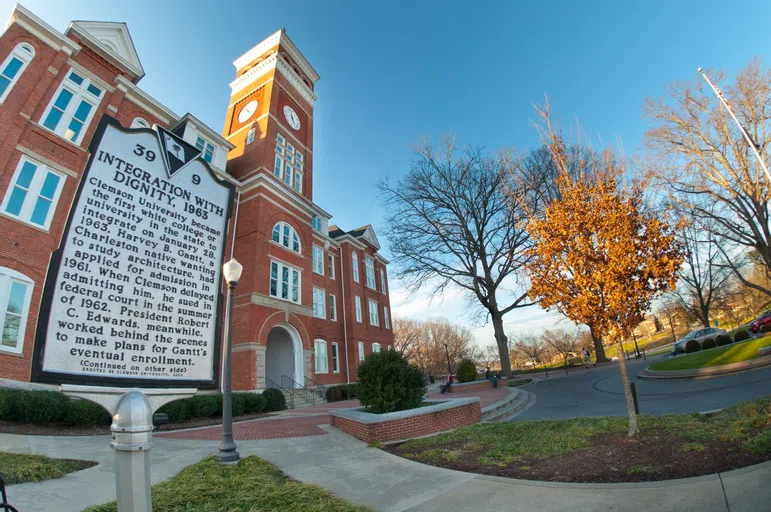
[(396, 426)]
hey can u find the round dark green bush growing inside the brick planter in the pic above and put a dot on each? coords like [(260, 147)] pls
[(388, 383)]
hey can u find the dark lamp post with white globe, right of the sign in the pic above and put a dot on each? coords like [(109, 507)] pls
[(231, 271)]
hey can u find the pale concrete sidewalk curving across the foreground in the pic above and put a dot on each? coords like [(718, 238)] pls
[(353, 471)]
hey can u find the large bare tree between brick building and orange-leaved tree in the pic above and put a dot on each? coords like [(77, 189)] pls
[(450, 224)]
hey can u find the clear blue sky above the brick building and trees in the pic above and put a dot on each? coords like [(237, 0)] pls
[(393, 72)]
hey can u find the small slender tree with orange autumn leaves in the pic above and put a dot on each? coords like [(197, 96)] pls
[(599, 255)]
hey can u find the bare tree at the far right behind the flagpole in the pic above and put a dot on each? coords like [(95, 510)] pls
[(710, 171)]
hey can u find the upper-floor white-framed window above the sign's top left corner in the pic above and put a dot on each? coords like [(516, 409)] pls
[(72, 107)]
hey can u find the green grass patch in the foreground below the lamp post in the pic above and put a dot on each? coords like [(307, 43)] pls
[(253, 485)]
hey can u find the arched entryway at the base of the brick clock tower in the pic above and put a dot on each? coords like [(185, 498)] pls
[(284, 357)]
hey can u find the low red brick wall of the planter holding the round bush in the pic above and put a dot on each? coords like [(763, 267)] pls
[(414, 426)]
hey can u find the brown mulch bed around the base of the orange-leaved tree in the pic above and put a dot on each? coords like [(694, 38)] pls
[(611, 458)]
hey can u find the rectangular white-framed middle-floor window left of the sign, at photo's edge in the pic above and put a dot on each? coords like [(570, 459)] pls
[(33, 193)]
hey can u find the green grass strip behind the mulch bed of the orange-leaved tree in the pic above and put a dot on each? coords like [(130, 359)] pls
[(502, 443)]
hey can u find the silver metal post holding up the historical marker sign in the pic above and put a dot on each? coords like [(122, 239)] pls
[(132, 438)]
